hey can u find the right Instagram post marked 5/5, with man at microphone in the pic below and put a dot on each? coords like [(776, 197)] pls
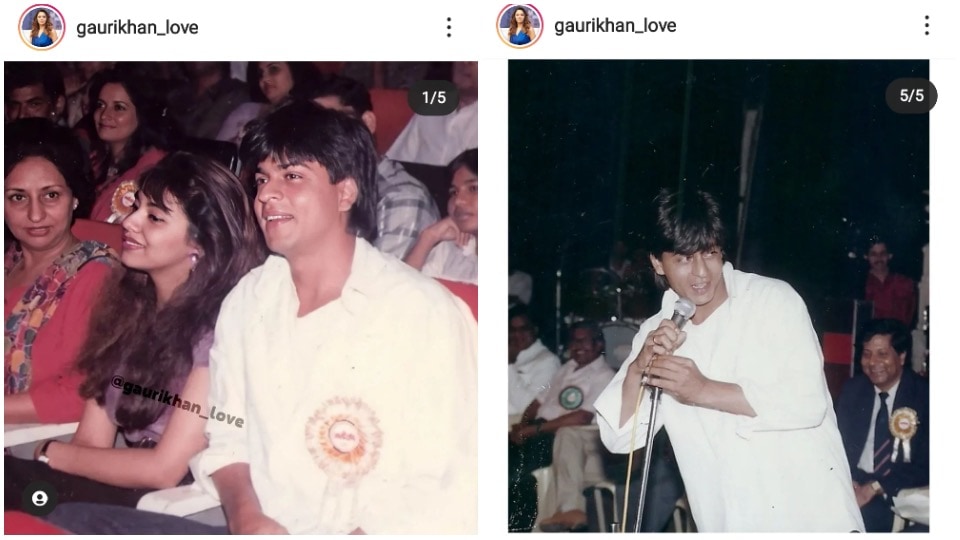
[(719, 258)]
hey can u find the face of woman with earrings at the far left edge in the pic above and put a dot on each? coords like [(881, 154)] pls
[(38, 205)]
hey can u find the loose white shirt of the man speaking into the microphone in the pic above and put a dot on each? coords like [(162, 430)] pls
[(784, 469)]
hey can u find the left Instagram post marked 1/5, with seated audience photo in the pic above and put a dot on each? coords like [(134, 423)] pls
[(240, 274)]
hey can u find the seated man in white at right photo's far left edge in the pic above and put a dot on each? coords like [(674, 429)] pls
[(531, 364)]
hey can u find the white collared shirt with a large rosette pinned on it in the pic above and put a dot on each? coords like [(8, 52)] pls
[(362, 413)]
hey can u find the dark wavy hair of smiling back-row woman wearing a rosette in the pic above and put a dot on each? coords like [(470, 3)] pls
[(154, 127)]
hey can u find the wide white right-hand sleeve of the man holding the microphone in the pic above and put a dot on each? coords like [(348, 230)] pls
[(782, 375)]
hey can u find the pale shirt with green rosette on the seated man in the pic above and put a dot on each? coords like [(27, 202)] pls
[(574, 389)]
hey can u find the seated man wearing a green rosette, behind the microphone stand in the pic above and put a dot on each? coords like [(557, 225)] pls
[(536, 442)]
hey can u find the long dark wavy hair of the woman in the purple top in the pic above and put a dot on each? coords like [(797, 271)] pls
[(151, 346)]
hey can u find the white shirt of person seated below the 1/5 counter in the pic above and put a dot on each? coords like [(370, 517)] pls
[(436, 140)]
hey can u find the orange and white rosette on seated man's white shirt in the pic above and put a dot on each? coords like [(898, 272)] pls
[(344, 439)]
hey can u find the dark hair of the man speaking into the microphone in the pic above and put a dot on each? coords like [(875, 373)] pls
[(685, 223)]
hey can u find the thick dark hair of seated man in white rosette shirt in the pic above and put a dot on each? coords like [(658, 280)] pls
[(302, 132)]
